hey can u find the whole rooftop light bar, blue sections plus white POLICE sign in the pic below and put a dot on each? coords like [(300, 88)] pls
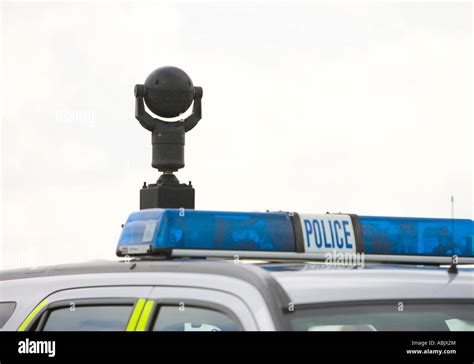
[(299, 236)]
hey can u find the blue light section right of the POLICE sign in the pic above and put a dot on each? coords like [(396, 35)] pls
[(417, 236)]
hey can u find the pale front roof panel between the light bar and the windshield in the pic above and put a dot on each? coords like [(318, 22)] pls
[(319, 283)]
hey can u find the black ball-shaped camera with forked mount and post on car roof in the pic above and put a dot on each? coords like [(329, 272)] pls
[(168, 92)]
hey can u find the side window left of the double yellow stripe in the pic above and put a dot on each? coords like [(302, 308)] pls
[(103, 317)]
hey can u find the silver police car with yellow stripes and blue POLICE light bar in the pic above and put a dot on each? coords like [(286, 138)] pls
[(188, 270)]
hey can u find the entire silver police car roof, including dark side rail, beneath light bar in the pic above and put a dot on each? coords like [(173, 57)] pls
[(299, 283)]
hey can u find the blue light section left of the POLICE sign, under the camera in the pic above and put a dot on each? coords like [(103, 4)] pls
[(153, 230)]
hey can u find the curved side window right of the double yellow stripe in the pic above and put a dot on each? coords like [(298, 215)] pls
[(184, 318)]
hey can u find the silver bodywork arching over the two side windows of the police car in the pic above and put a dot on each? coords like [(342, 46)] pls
[(29, 292)]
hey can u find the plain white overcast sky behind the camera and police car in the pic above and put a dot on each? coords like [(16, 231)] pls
[(362, 108)]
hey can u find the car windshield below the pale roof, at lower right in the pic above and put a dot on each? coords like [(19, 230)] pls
[(393, 316)]
